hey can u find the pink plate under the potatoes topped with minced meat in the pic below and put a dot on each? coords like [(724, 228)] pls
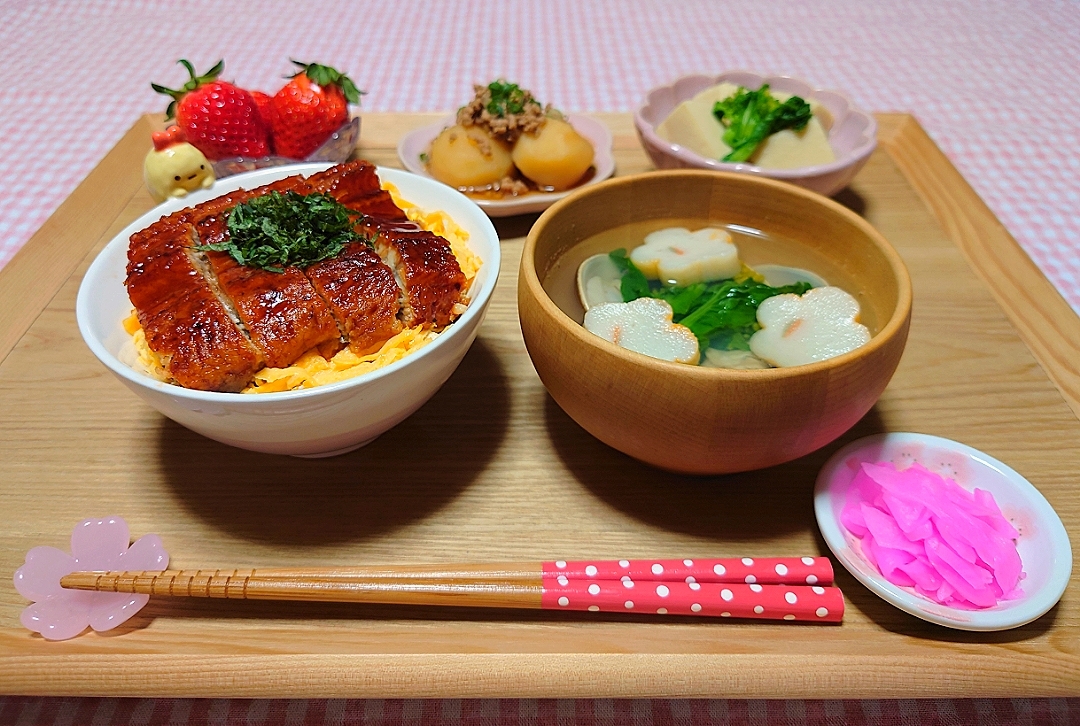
[(418, 142)]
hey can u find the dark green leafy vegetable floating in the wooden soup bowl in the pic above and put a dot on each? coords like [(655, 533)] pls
[(722, 314)]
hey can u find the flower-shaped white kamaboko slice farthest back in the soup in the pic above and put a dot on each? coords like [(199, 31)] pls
[(681, 258)]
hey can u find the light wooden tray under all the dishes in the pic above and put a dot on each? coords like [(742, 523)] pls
[(492, 469)]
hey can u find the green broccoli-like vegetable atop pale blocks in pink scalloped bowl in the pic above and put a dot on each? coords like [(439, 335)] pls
[(750, 117)]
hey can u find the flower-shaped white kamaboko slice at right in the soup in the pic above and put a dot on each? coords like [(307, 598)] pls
[(798, 330)]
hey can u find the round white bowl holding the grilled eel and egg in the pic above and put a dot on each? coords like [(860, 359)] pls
[(314, 422)]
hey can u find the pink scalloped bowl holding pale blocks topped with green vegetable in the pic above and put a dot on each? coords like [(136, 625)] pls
[(854, 135)]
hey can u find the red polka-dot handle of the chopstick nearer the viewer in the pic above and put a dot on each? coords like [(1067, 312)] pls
[(767, 602)]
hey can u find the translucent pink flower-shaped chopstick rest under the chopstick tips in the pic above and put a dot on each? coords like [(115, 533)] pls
[(97, 545)]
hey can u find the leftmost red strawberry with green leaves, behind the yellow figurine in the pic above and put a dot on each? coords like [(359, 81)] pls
[(220, 119)]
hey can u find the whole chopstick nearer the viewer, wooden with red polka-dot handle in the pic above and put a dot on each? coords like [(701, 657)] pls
[(481, 587)]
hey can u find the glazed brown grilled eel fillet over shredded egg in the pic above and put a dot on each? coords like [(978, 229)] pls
[(214, 322)]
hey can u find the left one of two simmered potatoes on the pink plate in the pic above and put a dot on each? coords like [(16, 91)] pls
[(469, 157)]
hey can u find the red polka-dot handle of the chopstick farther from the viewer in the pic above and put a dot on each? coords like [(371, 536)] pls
[(749, 571)]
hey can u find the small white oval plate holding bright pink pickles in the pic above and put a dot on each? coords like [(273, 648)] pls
[(1044, 544)]
